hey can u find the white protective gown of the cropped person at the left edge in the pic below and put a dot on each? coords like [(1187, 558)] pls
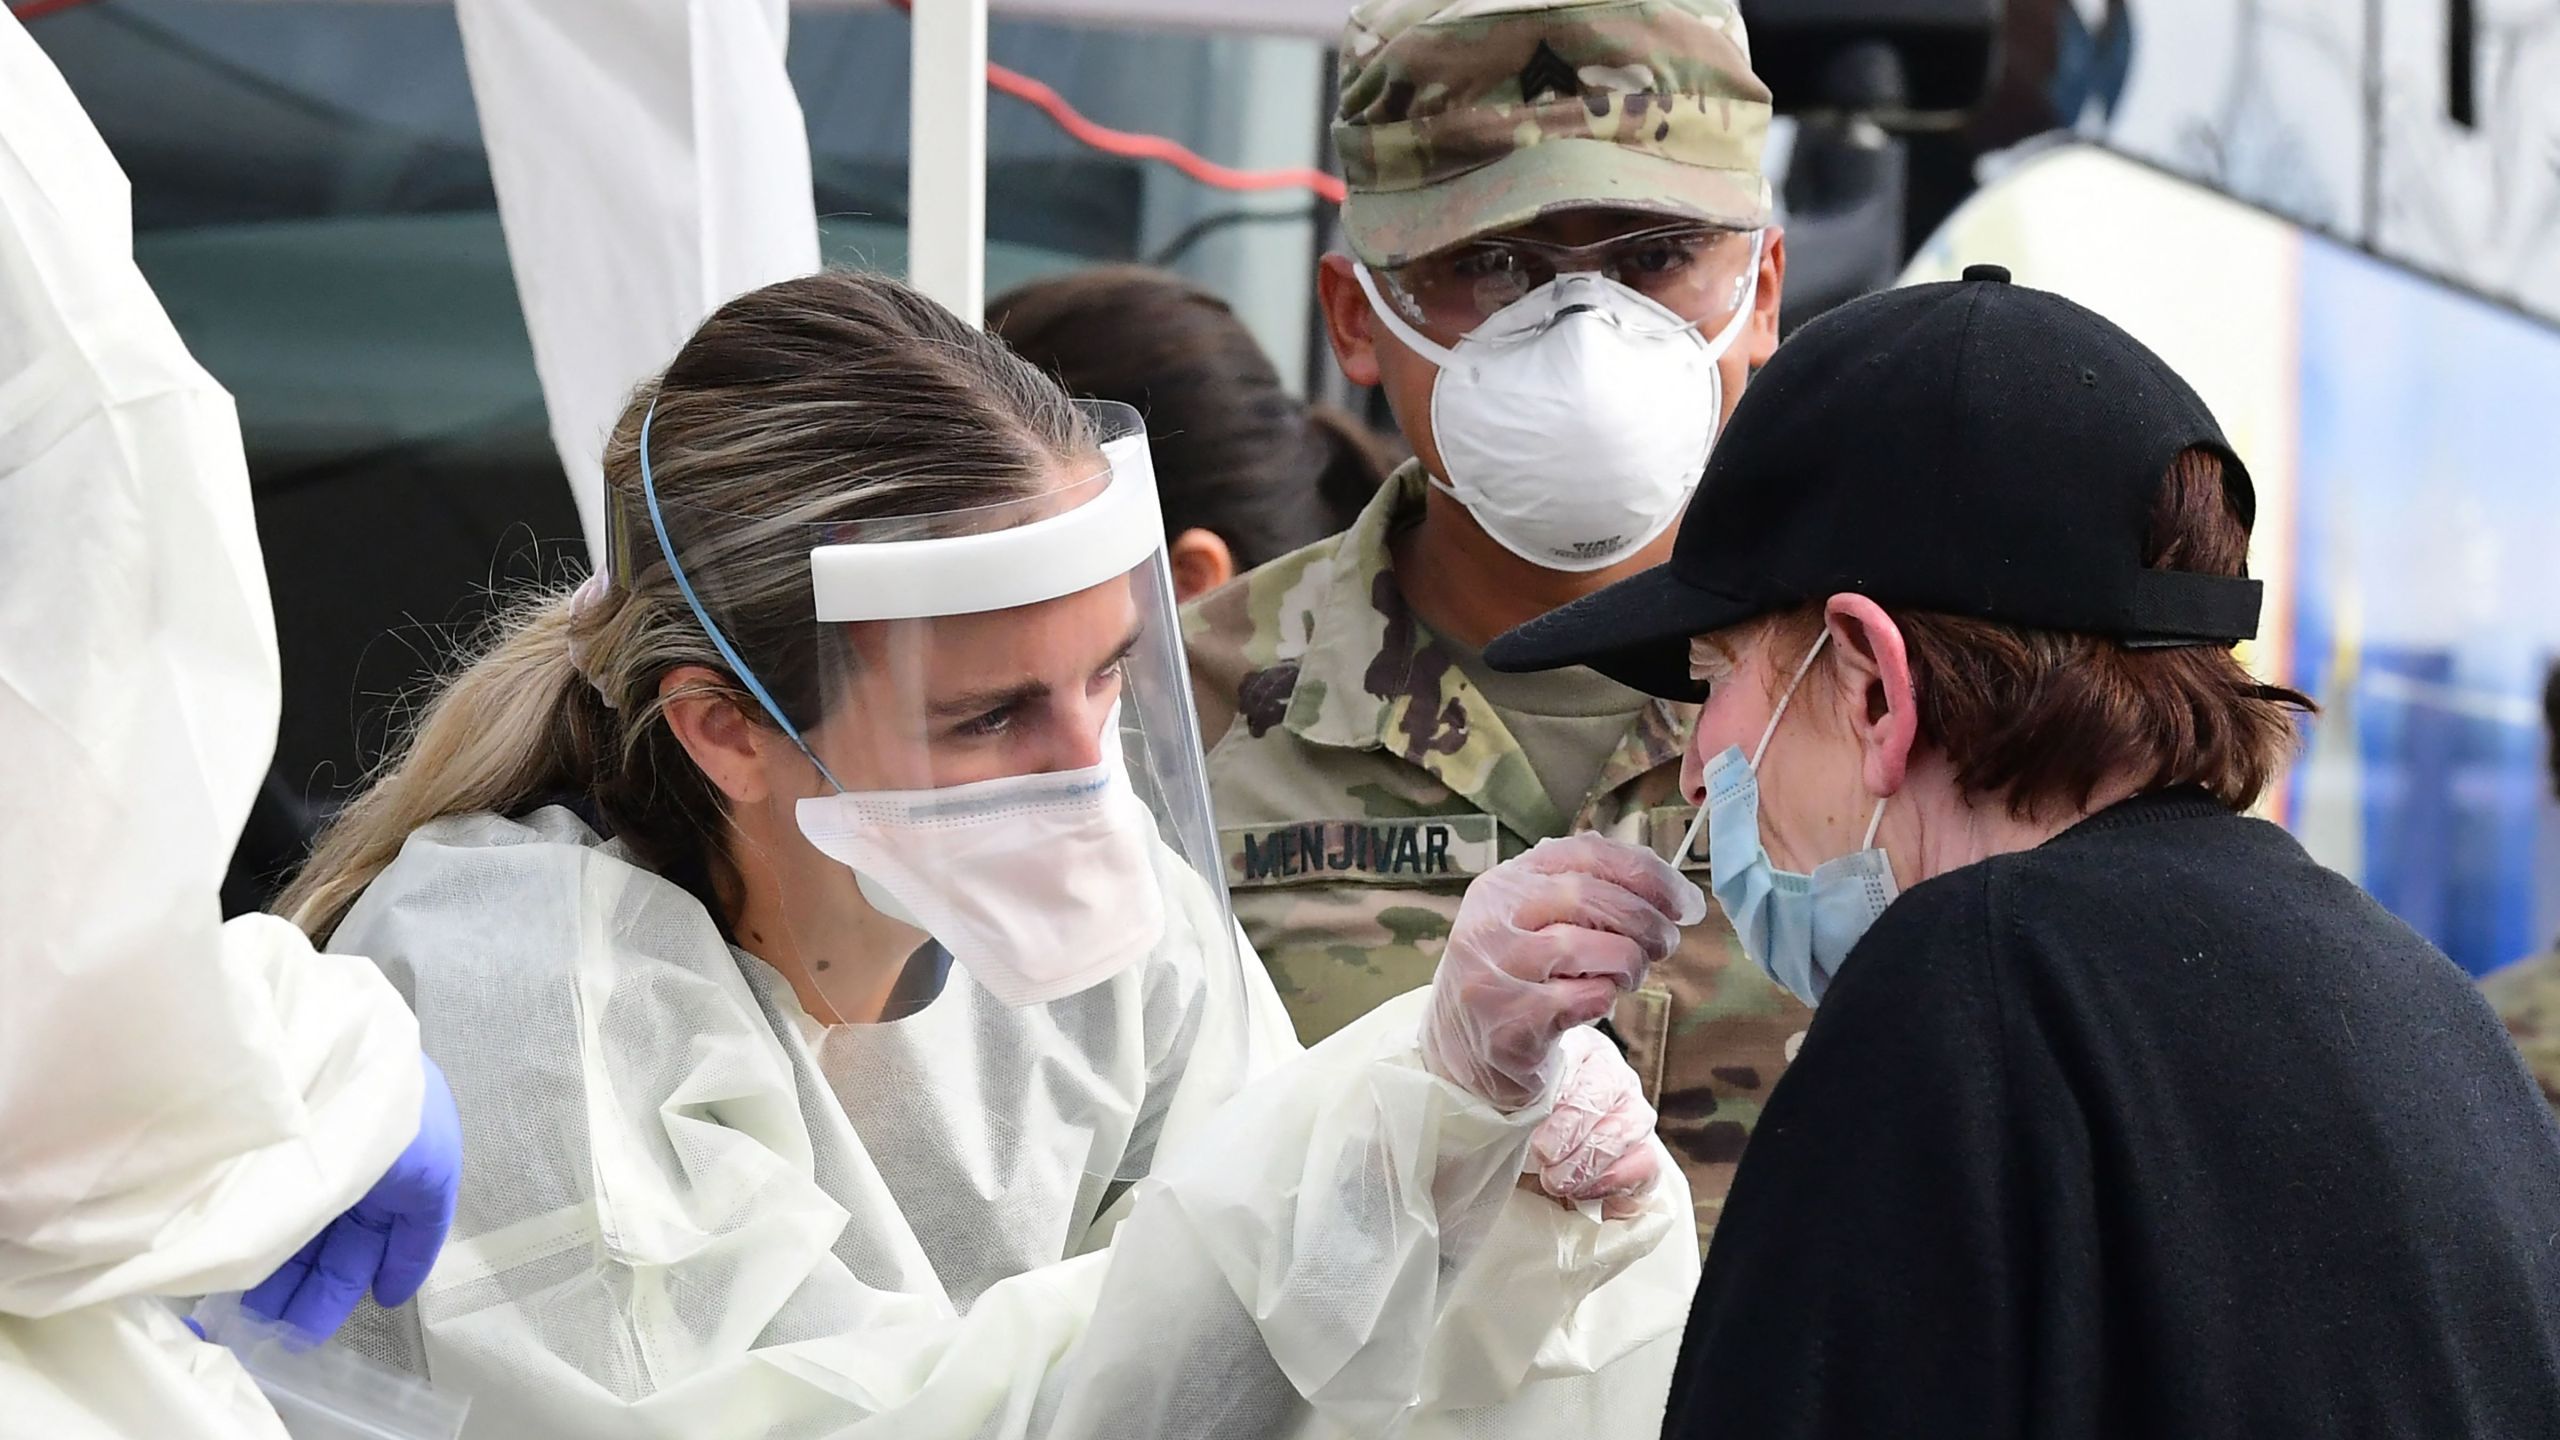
[(183, 1103)]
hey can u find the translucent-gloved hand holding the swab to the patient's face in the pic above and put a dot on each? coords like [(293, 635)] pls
[(1542, 944)]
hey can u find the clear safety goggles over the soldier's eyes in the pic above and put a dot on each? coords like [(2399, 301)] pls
[(1696, 273)]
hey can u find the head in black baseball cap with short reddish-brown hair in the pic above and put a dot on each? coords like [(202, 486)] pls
[(1972, 550)]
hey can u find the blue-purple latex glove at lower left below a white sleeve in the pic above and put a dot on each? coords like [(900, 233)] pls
[(388, 1241)]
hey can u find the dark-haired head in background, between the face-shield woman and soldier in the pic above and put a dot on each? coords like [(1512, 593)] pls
[(1245, 470)]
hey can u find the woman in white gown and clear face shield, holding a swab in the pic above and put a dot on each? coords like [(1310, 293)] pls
[(820, 924)]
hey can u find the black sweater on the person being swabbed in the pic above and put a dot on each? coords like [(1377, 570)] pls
[(2154, 1131)]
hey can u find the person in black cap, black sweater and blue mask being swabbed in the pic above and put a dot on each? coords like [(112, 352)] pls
[(2118, 1113)]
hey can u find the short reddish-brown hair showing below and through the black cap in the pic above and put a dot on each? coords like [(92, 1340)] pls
[(2044, 719)]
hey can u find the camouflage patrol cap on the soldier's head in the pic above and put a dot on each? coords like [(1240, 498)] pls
[(1473, 117)]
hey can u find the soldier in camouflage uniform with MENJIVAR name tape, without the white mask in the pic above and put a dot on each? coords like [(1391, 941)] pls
[(1363, 765)]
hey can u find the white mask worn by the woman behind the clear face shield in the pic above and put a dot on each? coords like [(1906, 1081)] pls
[(1041, 885)]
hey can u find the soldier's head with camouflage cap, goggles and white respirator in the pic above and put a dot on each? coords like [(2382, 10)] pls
[(1494, 147)]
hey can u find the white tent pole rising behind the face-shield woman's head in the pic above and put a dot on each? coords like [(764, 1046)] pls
[(946, 155)]
